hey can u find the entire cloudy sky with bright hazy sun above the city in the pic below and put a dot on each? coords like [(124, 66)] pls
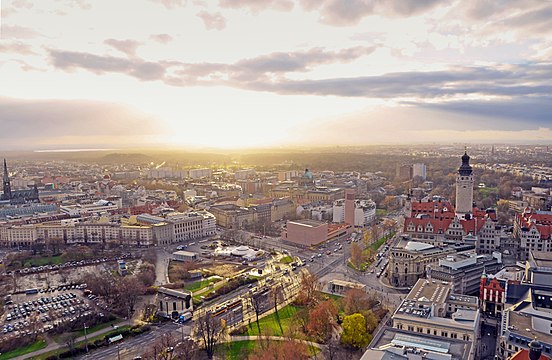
[(273, 73)]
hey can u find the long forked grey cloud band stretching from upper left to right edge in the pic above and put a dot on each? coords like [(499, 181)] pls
[(270, 73)]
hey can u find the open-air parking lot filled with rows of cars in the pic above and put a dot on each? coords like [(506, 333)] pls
[(42, 310)]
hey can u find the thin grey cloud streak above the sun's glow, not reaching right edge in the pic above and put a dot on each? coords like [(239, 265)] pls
[(183, 74)]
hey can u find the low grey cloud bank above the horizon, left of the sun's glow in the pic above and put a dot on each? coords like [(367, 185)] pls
[(36, 122)]
